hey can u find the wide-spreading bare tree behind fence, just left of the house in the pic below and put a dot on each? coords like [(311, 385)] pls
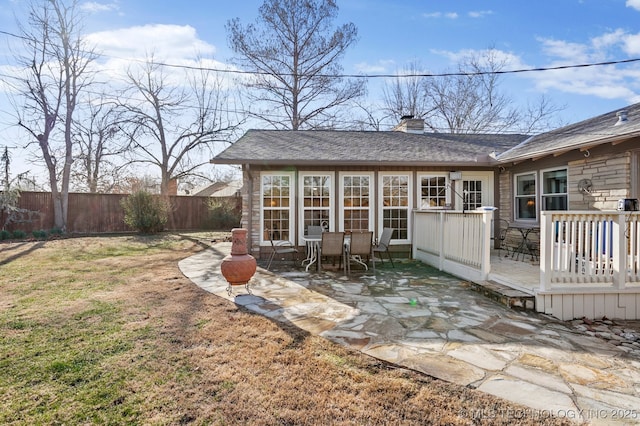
[(172, 122)]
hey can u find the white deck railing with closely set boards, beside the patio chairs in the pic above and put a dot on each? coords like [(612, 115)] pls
[(454, 241)]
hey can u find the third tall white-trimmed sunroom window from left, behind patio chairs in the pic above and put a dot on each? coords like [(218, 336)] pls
[(357, 201)]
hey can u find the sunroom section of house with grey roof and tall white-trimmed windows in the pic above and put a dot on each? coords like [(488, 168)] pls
[(359, 180)]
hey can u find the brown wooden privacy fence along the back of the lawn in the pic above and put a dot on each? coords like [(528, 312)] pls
[(103, 213)]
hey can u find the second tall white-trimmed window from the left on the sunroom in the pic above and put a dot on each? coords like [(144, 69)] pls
[(316, 197)]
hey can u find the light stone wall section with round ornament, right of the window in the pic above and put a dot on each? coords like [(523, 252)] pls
[(611, 178)]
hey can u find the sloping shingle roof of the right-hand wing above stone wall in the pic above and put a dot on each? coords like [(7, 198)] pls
[(582, 135)]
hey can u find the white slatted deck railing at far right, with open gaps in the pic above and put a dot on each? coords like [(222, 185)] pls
[(589, 249)]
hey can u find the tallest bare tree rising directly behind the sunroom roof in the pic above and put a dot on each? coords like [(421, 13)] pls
[(294, 53)]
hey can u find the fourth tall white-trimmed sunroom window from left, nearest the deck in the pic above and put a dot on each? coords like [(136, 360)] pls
[(396, 203)]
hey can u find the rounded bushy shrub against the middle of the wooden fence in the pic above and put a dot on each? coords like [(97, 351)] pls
[(145, 213)]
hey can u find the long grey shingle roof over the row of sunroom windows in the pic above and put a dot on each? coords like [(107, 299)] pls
[(332, 147)]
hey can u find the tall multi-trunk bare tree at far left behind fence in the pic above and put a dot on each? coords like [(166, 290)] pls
[(55, 62)]
